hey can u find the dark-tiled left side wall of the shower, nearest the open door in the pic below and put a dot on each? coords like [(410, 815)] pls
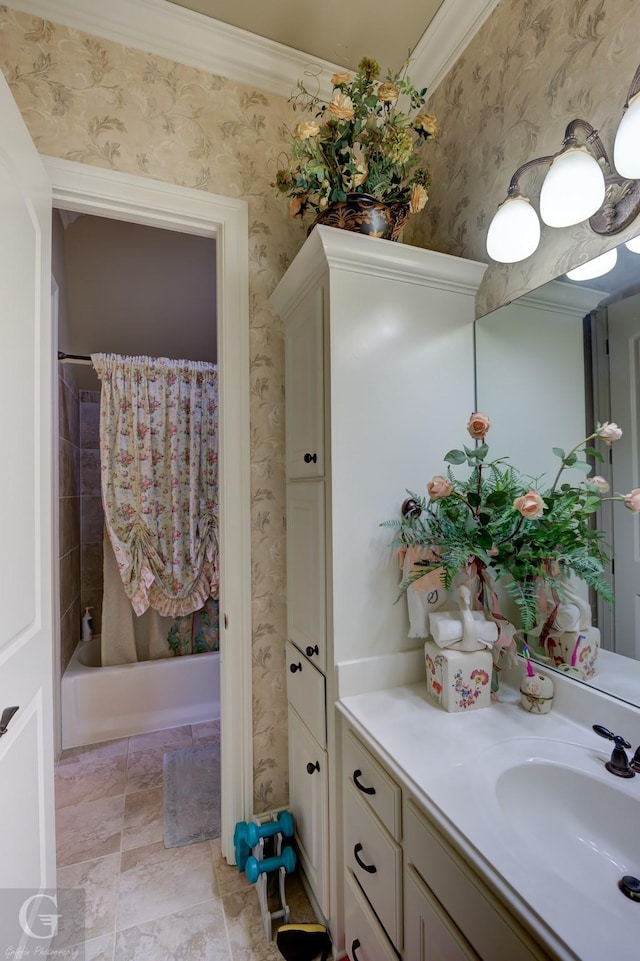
[(69, 510)]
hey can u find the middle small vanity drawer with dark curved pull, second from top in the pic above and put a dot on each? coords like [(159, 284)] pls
[(376, 861)]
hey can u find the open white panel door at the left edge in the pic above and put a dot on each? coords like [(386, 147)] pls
[(27, 835)]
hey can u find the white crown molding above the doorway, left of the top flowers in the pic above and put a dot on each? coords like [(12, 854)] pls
[(190, 38)]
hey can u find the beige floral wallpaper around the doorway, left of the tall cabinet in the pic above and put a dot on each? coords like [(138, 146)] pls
[(102, 103)]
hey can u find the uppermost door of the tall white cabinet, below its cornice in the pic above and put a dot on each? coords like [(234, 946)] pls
[(304, 380)]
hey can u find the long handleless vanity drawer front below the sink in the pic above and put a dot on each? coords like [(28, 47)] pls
[(495, 935)]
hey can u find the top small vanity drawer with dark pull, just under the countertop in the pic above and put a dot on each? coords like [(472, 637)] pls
[(373, 783)]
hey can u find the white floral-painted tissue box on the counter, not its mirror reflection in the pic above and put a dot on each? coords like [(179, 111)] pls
[(458, 680)]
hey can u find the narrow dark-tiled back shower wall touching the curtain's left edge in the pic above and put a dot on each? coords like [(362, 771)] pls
[(91, 513)]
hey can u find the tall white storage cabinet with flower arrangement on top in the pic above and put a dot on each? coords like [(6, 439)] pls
[(379, 385)]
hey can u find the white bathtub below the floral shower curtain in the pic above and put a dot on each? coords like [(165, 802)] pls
[(100, 703)]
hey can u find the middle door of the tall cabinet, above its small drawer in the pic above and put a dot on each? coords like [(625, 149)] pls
[(305, 569)]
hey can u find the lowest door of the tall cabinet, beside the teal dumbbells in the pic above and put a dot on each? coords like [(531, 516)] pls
[(308, 799)]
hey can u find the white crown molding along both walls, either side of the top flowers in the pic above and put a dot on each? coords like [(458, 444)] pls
[(170, 31)]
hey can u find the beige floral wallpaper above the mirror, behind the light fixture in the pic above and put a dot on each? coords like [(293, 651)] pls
[(533, 66)]
